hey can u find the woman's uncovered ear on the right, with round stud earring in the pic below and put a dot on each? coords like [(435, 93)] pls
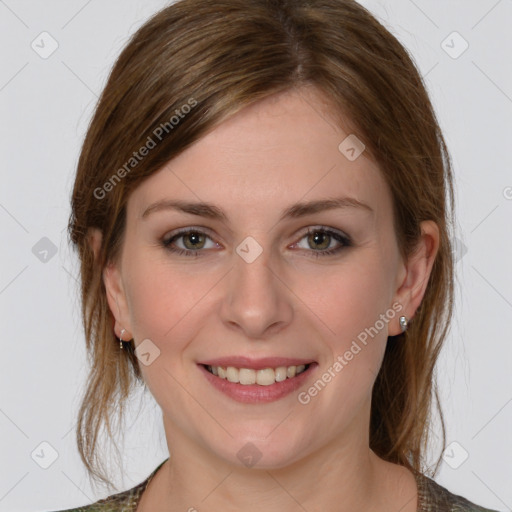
[(417, 273)]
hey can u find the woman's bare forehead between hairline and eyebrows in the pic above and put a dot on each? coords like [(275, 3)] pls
[(276, 152)]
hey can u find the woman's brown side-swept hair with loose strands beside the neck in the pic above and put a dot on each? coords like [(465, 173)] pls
[(194, 64)]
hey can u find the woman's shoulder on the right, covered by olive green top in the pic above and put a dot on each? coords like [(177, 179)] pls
[(434, 497)]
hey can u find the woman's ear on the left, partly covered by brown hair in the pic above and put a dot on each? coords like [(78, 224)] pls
[(116, 296)]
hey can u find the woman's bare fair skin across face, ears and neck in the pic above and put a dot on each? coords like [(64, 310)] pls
[(270, 155)]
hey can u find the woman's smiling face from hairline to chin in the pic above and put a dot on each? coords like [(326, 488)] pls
[(251, 277)]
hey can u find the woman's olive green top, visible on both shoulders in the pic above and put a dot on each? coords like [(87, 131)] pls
[(432, 497)]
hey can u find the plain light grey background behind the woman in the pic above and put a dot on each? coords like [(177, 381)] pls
[(45, 105)]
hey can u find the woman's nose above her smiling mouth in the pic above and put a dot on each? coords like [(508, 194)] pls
[(257, 301)]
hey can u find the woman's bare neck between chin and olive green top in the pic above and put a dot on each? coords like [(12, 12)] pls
[(347, 475)]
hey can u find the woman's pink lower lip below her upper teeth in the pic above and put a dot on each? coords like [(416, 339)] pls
[(255, 393)]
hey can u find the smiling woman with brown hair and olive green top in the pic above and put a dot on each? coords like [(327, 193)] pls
[(262, 211)]
